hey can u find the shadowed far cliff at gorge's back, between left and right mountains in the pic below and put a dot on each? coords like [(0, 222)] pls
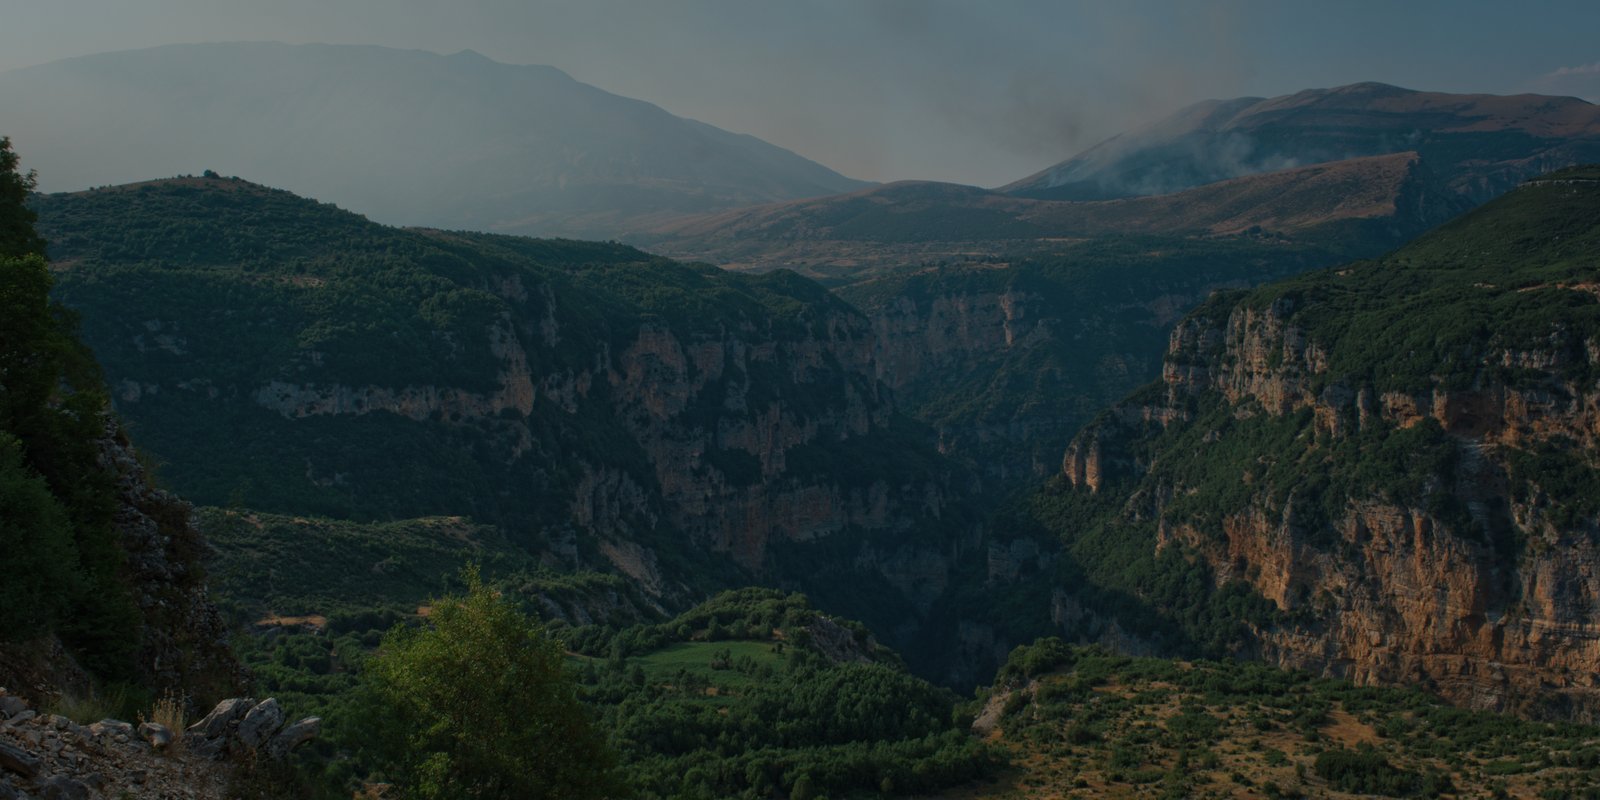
[(1009, 361)]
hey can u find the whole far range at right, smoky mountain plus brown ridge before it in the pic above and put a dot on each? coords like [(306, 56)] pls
[(1367, 167)]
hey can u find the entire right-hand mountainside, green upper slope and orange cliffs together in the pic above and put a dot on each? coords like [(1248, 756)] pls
[(1401, 457)]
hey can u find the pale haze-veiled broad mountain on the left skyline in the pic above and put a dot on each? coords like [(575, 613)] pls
[(407, 137)]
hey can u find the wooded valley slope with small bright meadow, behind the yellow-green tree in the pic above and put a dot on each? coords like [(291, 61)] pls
[(745, 695)]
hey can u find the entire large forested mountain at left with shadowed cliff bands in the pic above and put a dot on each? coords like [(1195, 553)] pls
[(676, 423)]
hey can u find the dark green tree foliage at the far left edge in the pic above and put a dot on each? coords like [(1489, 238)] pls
[(57, 519)]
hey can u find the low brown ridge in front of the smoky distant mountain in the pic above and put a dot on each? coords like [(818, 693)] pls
[(1366, 204)]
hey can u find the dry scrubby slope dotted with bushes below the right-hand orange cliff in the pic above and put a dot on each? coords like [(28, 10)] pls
[(1108, 721)]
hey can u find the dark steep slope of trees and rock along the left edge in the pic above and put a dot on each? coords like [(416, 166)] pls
[(102, 570)]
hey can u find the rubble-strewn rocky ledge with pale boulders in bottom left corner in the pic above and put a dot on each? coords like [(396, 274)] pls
[(50, 758)]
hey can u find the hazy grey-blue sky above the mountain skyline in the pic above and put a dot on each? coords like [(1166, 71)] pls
[(978, 92)]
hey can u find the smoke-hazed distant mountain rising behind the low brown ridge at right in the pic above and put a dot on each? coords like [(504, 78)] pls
[(1482, 143)]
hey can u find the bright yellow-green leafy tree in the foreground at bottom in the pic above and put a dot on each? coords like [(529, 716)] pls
[(479, 705)]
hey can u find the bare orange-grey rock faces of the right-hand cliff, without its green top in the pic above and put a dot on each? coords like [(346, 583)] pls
[(1386, 591)]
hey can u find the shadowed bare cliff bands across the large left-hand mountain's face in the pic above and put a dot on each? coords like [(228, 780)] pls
[(719, 438)]
